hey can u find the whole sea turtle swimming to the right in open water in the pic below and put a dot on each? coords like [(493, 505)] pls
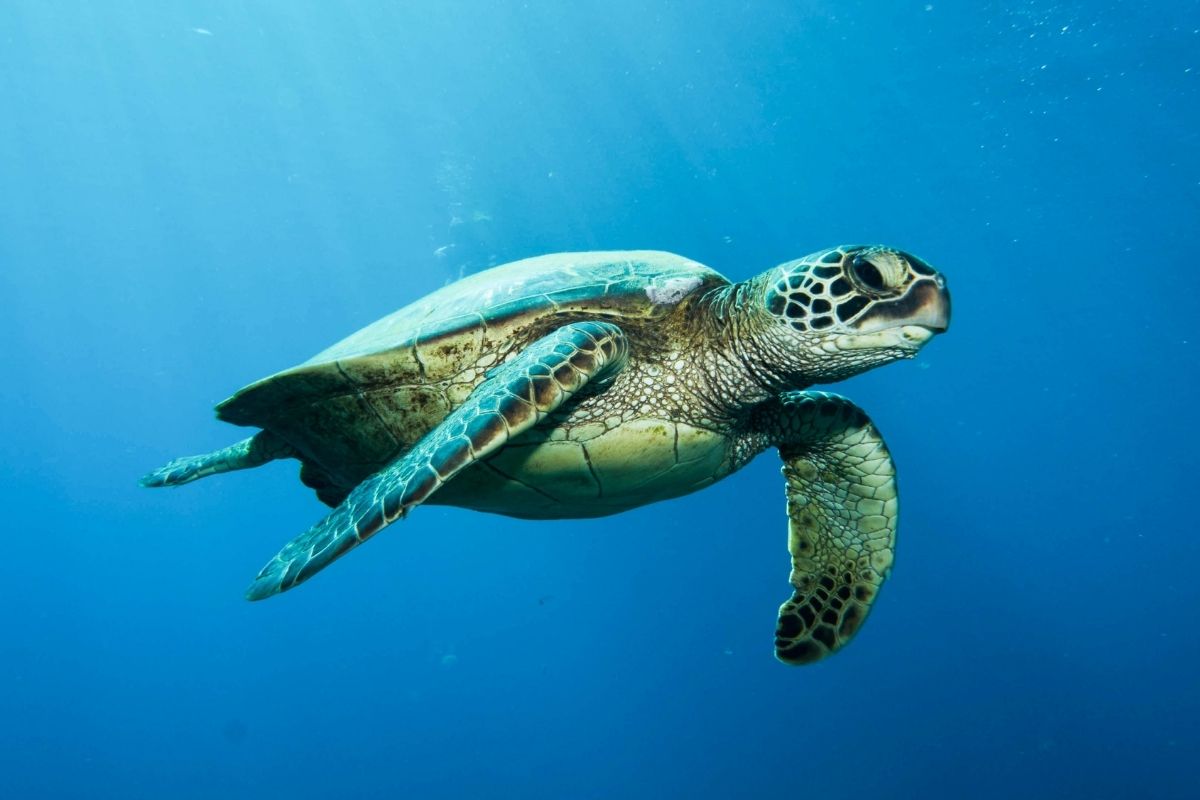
[(585, 384)]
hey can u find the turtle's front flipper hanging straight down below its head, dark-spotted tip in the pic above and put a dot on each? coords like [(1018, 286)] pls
[(842, 516)]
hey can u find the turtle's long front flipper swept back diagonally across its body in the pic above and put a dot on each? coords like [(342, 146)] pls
[(512, 400)]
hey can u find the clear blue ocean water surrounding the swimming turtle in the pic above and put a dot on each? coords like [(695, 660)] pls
[(194, 196)]
